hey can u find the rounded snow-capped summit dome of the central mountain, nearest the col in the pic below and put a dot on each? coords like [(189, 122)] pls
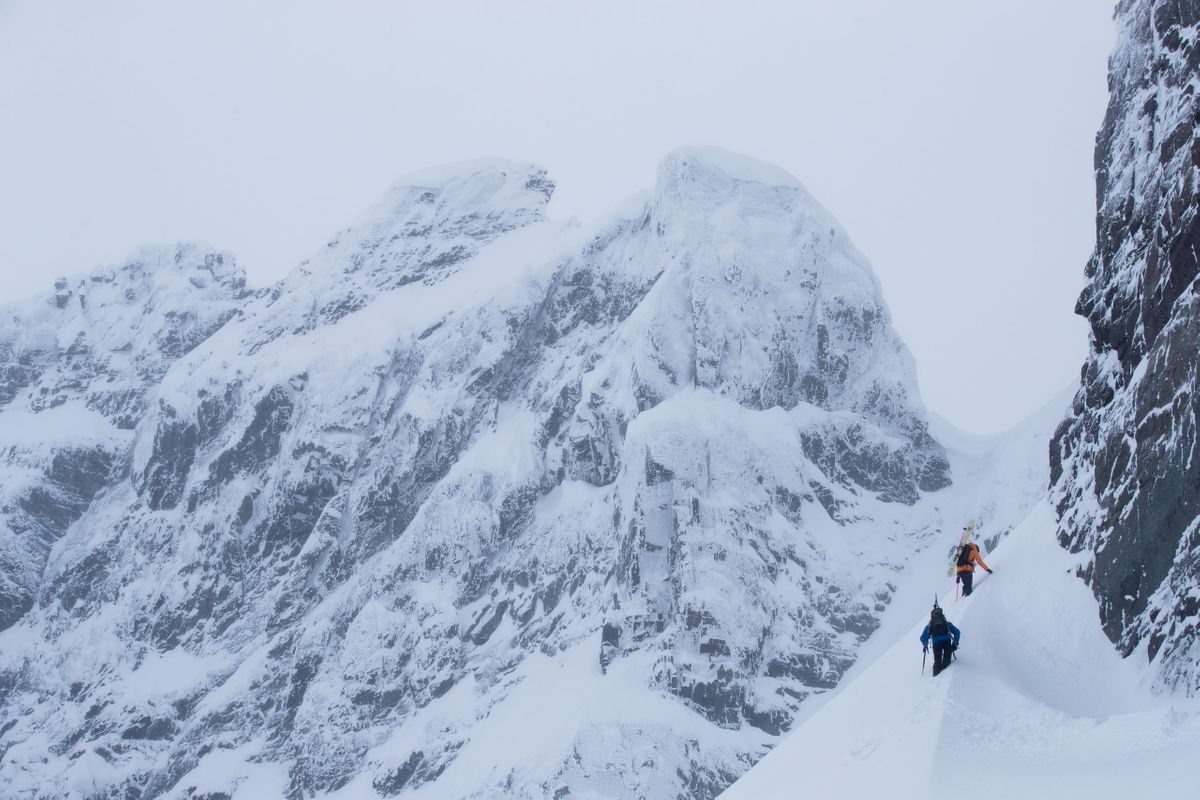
[(783, 310)]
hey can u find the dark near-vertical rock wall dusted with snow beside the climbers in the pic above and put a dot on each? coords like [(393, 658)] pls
[(1125, 467)]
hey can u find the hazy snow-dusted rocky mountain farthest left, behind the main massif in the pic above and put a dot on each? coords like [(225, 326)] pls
[(76, 368)]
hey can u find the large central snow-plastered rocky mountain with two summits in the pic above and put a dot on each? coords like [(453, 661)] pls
[(644, 488)]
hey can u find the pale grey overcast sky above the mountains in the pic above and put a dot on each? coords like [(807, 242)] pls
[(953, 139)]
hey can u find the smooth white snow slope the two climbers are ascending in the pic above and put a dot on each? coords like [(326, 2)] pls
[(1039, 703)]
